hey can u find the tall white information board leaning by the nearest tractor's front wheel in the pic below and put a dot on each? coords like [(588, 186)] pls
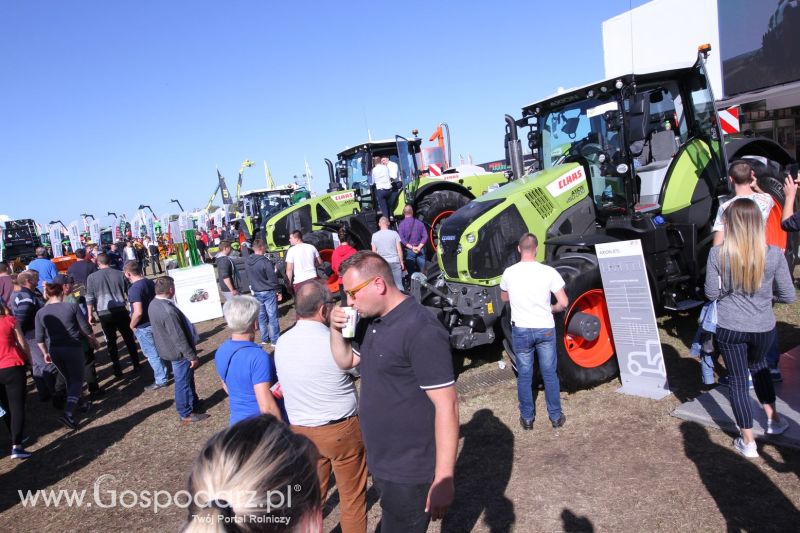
[(633, 319)]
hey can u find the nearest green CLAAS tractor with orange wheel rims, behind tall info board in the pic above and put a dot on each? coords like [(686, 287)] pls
[(636, 157)]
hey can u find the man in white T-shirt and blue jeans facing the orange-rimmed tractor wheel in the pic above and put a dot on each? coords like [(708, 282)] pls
[(527, 286)]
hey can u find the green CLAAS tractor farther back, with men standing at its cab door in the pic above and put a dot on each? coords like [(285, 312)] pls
[(350, 200)]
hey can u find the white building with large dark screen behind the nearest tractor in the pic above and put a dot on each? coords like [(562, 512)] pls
[(754, 63)]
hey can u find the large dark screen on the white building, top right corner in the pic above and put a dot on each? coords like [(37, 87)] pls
[(759, 43)]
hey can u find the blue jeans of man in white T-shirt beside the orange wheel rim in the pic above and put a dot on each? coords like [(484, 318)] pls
[(543, 341)]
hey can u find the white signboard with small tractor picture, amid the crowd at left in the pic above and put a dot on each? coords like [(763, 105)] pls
[(196, 292)]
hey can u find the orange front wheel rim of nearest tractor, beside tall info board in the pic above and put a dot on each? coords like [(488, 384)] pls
[(590, 354)]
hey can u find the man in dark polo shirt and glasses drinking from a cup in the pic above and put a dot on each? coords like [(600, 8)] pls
[(408, 408)]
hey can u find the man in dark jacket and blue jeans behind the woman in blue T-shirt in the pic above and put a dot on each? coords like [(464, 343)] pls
[(266, 289)]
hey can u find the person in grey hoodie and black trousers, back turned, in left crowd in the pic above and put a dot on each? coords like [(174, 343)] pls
[(106, 294)]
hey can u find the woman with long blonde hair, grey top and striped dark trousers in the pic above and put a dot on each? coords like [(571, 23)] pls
[(745, 276)]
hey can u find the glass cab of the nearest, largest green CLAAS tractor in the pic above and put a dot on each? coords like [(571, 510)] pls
[(629, 134)]
